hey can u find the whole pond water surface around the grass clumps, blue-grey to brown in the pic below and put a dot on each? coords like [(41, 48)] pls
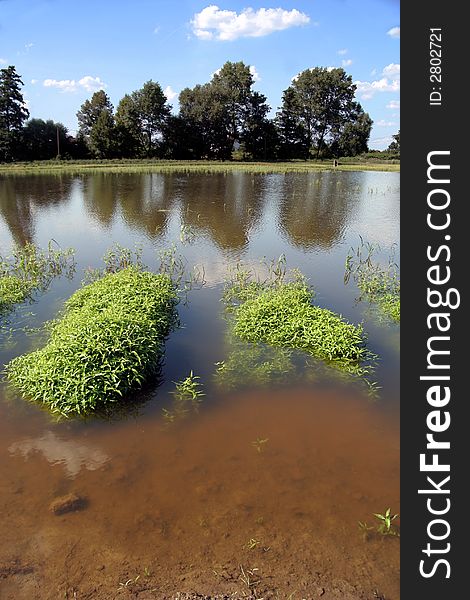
[(200, 504)]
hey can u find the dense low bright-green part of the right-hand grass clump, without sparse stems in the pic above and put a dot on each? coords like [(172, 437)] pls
[(285, 317)]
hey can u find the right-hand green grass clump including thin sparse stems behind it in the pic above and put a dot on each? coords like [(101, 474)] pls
[(280, 313)]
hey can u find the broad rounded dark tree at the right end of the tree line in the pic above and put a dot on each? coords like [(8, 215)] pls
[(317, 107)]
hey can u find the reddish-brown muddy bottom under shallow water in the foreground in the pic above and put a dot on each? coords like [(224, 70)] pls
[(256, 496)]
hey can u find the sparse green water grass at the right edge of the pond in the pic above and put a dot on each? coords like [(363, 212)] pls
[(379, 284)]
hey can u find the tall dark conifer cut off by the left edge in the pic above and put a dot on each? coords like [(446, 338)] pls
[(13, 113)]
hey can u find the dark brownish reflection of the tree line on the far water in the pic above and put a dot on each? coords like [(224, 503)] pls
[(311, 210)]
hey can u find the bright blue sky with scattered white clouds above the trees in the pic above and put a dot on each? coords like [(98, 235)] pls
[(64, 50)]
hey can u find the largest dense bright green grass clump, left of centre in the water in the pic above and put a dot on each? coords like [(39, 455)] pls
[(107, 342)]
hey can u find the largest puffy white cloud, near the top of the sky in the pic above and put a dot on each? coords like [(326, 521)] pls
[(214, 23)]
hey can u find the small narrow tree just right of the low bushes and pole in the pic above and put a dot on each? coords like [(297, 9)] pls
[(96, 125)]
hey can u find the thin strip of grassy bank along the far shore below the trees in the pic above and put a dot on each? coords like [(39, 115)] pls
[(169, 166)]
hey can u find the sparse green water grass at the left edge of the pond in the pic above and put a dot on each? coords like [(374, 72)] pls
[(30, 269)]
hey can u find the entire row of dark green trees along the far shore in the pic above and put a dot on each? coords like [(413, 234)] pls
[(319, 118)]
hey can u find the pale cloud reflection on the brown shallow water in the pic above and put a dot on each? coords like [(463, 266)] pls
[(72, 455)]
